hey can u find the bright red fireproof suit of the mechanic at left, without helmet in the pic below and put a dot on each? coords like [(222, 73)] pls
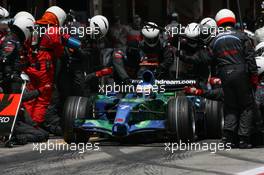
[(41, 71)]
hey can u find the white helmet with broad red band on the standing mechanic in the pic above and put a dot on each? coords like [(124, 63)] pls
[(225, 16)]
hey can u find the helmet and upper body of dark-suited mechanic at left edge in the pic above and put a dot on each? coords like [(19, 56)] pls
[(10, 54)]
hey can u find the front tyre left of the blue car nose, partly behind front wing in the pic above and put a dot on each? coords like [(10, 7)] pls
[(74, 108)]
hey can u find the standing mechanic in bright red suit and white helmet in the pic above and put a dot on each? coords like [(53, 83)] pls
[(42, 57)]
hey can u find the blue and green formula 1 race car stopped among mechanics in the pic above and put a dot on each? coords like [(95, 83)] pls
[(169, 112)]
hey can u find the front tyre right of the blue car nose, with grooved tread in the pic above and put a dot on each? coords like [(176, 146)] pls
[(181, 121)]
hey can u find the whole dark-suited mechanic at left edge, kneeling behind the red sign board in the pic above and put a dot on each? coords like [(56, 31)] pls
[(12, 58)]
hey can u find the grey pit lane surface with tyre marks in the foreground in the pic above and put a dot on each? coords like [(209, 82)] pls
[(115, 159)]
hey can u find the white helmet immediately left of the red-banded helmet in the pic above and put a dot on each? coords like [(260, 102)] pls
[(208, 29)]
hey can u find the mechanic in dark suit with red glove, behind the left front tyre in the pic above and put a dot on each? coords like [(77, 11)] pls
[(91, 67)]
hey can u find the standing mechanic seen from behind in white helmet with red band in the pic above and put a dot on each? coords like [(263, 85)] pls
[(237, 69)]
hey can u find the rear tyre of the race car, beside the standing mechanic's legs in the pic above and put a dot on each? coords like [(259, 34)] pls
[(214, 119)]
